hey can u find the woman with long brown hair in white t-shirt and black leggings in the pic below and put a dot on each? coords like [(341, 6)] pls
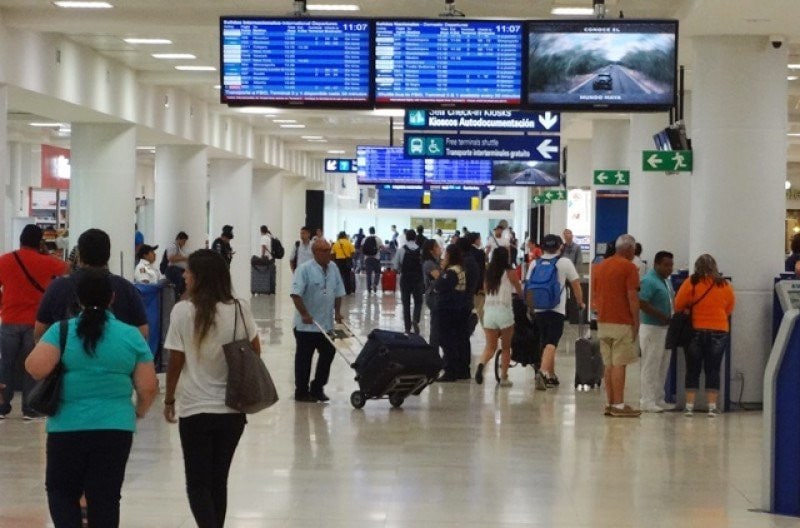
[(197, 377)]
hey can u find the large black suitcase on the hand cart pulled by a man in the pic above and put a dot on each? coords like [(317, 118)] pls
[(387, 355)]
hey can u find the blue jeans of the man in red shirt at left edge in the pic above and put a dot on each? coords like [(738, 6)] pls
[(16, 342)]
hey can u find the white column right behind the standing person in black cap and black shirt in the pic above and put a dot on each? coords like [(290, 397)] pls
[(230, 191)]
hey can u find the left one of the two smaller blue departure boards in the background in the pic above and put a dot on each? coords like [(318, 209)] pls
[(377, 165)]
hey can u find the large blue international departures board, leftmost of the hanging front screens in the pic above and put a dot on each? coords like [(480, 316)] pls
[(288, 61)]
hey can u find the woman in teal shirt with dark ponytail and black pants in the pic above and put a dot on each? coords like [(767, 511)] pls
[(89, 438)]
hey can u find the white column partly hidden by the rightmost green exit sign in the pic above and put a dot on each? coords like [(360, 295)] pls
[(658, 205)]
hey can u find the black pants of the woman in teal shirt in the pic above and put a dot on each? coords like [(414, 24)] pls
[(90, 462)]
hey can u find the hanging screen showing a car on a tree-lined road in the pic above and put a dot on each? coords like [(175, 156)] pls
[(602, 64)]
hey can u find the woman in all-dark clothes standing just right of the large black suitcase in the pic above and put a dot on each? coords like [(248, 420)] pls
[(452, 313)]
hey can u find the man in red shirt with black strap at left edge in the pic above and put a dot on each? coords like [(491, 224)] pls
[(24, 276)]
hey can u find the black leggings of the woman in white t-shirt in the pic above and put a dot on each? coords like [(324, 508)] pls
[(208, 442)]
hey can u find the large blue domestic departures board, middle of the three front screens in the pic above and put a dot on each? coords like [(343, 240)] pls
[(448, 62)]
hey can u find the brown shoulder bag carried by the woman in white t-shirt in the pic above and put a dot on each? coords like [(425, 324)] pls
[(250, 388)]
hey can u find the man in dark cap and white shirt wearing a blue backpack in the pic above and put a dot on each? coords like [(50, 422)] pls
[(550, 322)]
